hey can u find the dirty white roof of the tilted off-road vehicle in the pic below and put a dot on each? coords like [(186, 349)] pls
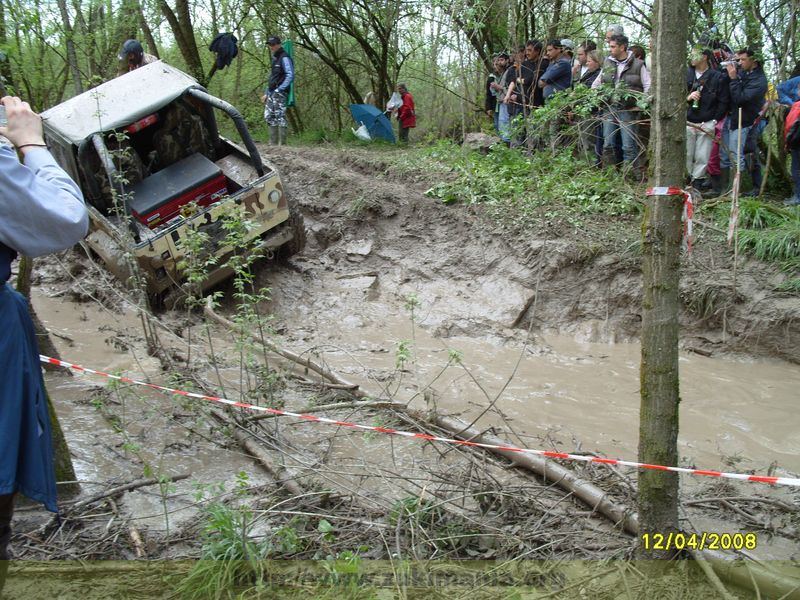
[(118, 102)]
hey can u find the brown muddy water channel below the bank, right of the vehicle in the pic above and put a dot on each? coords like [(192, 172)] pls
[(736, 413)]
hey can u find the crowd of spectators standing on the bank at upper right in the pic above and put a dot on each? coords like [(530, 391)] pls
[(728, 99)]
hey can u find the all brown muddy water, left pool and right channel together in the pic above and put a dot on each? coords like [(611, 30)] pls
[(736, 414)]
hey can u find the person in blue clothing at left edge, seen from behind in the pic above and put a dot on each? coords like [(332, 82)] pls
[(41, 211)]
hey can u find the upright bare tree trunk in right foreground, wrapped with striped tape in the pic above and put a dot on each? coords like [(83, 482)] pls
[(661, 237)]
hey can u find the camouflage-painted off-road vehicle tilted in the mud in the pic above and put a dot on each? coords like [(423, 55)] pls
[(147, 153)]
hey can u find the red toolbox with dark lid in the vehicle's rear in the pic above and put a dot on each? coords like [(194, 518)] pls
[(158, 198)]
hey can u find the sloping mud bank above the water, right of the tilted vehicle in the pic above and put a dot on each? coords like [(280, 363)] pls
[(364, 220)]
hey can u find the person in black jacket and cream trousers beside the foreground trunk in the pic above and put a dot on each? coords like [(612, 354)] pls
[(707, 103)]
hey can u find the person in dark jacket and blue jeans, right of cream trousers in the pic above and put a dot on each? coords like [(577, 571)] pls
[(748, 88)]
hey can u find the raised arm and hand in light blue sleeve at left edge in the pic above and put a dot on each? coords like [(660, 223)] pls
[(41, 208)]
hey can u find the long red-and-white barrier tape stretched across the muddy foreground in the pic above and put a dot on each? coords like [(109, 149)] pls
[(422, 436)]
